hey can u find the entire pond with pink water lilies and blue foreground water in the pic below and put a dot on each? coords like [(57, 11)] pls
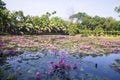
[(59, 58)]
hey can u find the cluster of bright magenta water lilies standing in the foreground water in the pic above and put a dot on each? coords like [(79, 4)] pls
[(61, 69)]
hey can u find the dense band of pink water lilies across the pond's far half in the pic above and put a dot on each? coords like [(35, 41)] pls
[(73, 44)]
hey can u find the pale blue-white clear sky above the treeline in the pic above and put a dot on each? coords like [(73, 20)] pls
[(65, 8)]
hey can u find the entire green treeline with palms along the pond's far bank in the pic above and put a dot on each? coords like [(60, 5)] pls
[(81, 23)]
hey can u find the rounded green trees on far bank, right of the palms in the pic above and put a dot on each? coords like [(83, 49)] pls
[(86, 25)]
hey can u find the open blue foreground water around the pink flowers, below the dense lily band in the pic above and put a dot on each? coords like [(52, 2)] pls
[(24, 66)]
